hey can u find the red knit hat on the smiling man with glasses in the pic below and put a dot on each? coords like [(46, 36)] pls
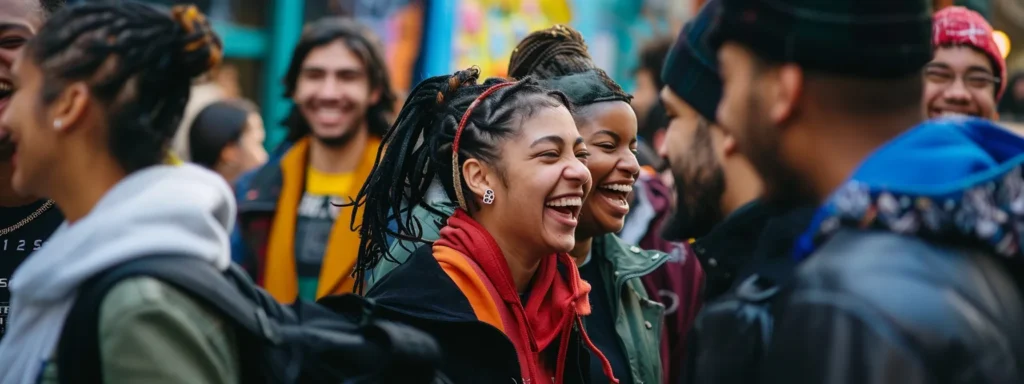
[(960, 26)]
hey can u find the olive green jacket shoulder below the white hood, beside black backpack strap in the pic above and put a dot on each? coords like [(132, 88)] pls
[(152, 333)]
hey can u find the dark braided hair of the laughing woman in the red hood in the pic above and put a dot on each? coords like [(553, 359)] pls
[(419, 151)]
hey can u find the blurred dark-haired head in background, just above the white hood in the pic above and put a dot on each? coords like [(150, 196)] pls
[(228, 138)]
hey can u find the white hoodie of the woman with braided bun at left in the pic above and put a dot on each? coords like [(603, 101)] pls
[(184, 211)]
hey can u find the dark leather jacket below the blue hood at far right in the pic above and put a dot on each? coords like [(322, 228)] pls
[(880, 308)]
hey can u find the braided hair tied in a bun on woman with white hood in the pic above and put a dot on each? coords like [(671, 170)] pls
[(138, 62)]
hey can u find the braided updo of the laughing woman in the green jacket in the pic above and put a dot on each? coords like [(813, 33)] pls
[(558, 52)]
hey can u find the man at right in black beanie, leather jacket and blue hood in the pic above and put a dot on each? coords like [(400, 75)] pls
[(912, 270)]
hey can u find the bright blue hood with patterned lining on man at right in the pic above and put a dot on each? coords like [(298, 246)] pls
[(953, 180)]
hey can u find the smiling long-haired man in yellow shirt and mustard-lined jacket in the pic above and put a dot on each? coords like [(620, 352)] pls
[(295, 222)]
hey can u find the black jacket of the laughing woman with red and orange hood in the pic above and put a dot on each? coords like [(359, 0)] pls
[(421, 294)]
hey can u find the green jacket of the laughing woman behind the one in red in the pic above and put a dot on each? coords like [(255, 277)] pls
[(638, 319)]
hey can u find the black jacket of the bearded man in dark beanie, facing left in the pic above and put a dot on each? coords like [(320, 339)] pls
[(749, 257)]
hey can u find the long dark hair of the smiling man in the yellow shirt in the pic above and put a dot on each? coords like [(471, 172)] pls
[(361, 41)]
